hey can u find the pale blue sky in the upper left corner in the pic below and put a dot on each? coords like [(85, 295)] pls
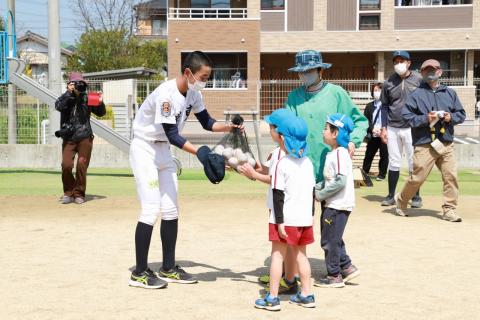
[(32, 15)]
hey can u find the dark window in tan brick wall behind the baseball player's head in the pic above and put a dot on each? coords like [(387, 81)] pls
[(229, 70)]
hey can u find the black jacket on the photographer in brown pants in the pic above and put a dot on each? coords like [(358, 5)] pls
[(75, 111)]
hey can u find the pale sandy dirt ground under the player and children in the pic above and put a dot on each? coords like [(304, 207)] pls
[(74, 262)]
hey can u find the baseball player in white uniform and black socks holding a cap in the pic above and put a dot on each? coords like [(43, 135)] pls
[(157, 125)]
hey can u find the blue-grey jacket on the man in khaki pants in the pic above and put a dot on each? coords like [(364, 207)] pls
[(424, 100)]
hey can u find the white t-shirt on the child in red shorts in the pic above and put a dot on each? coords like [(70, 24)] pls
[(296, 178)]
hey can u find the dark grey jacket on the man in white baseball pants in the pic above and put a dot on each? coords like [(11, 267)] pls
[(394, 95)]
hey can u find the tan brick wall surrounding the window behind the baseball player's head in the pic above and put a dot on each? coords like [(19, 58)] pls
[(197, 35)]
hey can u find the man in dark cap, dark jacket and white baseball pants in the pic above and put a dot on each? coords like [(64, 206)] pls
[(396, 131)]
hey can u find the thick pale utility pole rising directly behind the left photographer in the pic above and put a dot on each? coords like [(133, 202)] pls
[(54, 65)]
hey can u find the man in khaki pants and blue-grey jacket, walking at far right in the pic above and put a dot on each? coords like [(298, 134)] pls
[(432, 111)]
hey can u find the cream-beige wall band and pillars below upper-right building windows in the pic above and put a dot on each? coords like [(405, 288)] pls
[(387, 39)]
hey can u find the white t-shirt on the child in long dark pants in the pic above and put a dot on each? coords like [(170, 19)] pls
[(338, 161)]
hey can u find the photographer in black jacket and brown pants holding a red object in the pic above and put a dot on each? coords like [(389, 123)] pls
[(75, 107)]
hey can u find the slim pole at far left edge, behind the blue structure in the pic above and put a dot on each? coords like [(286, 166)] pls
[(12, 90)]
